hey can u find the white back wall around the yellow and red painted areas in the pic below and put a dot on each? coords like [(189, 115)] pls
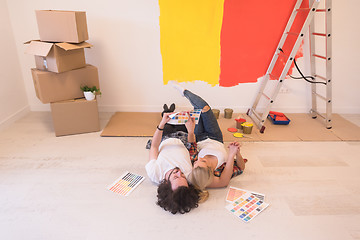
[(125, 35)]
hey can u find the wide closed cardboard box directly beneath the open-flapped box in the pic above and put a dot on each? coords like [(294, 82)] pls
[(53, 87)]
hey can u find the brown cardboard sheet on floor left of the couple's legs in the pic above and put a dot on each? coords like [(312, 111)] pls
[(132, 124)]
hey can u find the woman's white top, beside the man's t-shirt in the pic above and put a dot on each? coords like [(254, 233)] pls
[(212, 147)]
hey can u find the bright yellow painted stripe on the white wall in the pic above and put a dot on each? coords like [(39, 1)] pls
[(190, 39)]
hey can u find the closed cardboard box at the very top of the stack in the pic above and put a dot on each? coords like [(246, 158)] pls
[(62, 26)]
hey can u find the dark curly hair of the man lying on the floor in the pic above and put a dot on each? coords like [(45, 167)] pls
[(182, 200)]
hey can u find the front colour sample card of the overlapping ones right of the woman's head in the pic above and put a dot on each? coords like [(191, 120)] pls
[(247, 207)]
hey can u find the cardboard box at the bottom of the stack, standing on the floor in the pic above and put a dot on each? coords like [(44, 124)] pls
[(75, 116)]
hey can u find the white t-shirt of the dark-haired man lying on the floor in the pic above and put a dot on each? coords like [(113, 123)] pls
[(172, 153)]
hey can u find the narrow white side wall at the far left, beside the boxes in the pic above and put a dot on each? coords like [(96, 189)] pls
[(13, 98)]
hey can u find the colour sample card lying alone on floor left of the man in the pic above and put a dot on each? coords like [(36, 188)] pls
[(126, 183)]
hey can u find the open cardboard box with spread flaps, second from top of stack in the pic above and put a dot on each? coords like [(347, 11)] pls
[(57, 57)]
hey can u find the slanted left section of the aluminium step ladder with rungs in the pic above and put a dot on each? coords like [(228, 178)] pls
[(255, 114)]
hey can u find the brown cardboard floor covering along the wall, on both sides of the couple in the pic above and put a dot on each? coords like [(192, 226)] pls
[(301, 128)]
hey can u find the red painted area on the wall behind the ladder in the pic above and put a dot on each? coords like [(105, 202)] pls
[(250, 33)]
